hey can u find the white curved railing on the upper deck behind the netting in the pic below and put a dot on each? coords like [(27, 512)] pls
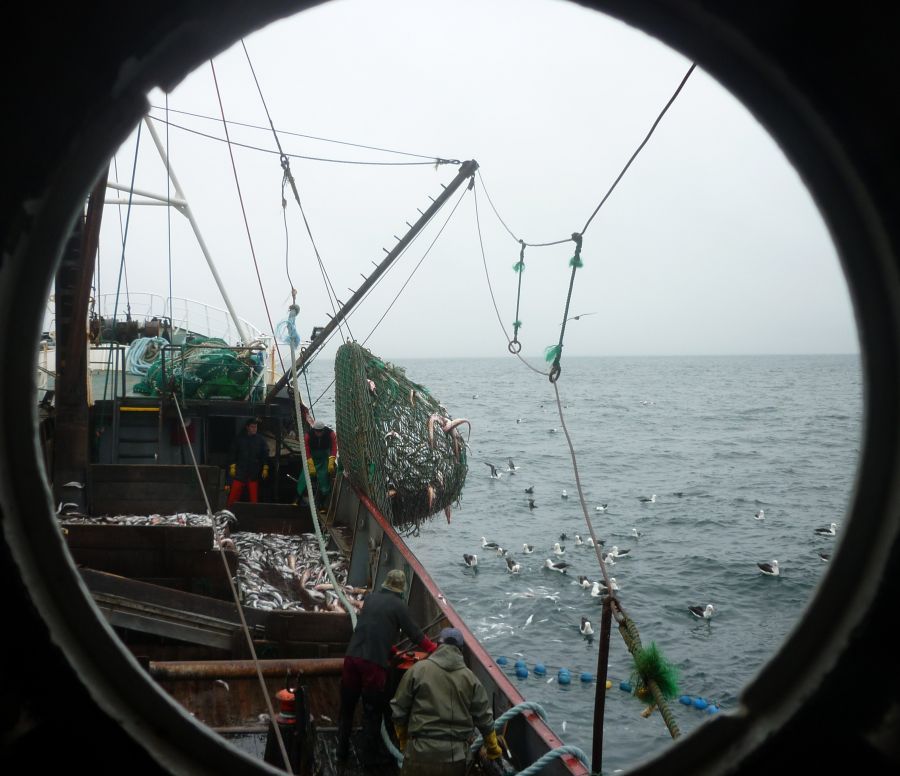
[(188, 316)]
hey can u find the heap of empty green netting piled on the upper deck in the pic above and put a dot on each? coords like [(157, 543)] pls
[(205, 369)]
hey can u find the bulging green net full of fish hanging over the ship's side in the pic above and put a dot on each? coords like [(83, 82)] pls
[(410, 471)]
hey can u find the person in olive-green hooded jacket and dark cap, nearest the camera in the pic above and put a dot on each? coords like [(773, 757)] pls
[(437, 704)]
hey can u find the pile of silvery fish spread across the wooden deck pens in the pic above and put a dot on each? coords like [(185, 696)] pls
[(275, 571)]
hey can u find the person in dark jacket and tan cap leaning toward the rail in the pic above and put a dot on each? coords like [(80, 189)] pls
[(366, 662)]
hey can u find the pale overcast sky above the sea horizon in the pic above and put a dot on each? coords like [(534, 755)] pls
[(709, 245)]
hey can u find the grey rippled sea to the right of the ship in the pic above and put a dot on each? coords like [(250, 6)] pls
[(715, 439)]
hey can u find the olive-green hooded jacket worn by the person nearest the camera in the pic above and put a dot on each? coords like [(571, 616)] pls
[(440, 700)]
